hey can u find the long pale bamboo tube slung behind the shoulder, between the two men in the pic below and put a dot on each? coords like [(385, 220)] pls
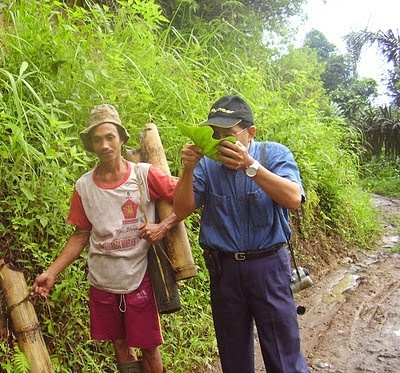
[(178, 246)]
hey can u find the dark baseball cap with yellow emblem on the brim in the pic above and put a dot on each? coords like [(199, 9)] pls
[(229, 111)]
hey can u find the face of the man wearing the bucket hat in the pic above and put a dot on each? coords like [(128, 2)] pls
[(106, 141)]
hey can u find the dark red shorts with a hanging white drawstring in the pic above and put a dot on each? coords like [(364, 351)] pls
[(132, 316)]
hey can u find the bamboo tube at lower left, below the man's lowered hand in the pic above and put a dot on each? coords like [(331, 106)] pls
[(24, 319)]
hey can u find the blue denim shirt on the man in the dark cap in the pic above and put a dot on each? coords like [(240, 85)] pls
[(237, 214)]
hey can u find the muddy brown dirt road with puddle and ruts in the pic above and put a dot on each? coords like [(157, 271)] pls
[(352, 321)]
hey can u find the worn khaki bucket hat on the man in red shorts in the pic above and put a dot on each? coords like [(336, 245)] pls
[(101, 114)]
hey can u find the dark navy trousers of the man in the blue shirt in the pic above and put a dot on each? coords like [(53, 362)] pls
[(256, 291)]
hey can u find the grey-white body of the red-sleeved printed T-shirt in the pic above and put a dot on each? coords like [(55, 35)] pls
[(117, 258)]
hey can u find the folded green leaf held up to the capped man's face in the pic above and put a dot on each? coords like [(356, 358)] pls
[(202, 137)]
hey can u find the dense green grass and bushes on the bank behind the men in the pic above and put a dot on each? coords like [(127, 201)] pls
[(57, 62)]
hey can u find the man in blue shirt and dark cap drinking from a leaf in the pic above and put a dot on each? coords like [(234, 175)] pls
[(244, 240)]
